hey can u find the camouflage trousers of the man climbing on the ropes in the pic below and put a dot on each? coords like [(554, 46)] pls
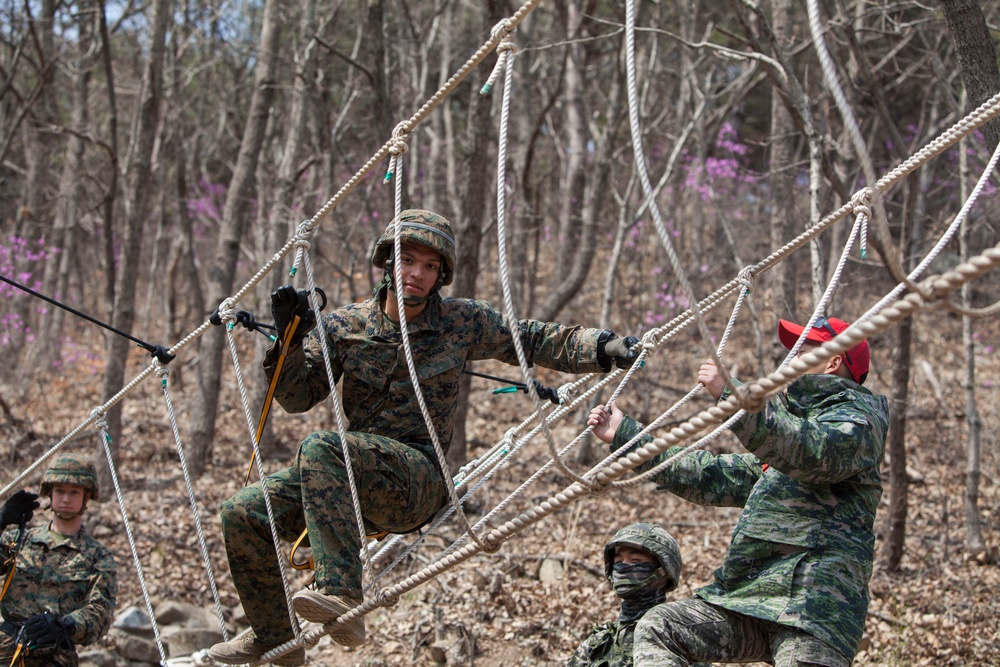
[(400, 488)]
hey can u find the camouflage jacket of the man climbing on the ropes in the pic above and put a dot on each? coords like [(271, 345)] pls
[(367, 352)]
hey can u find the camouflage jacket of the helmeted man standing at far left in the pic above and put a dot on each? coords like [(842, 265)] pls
[(76, 577)]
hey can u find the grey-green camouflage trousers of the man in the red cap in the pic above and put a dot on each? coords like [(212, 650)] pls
[(676, 634)]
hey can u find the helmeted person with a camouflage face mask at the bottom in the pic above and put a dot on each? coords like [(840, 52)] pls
[(640, 585)]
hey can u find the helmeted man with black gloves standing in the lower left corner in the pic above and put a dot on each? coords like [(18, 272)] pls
[(63, 588)]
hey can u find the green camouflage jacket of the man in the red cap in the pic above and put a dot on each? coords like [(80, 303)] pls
[(801, 553)]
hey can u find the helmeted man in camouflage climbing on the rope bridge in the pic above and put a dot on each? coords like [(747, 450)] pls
[(398, 477)]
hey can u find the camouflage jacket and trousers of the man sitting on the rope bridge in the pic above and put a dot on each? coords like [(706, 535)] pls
[(400, 482)]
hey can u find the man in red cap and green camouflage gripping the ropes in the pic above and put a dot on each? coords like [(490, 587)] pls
[(793, 589)]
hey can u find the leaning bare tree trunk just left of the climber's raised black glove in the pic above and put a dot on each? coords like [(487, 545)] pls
[(238, 199)]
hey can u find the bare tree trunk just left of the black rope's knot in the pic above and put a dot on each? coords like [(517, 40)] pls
[(123, 314)]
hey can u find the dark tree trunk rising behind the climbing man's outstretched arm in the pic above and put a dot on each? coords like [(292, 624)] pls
[(472, 209)]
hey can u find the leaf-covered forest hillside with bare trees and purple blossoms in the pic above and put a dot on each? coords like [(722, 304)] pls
[(154, 156)]
